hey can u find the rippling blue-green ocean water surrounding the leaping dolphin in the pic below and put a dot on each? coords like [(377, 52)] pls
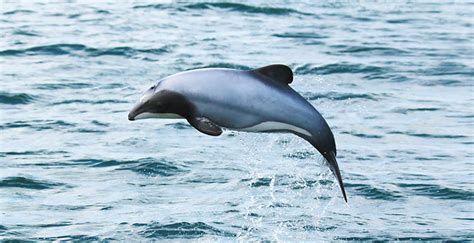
[(393, 79)]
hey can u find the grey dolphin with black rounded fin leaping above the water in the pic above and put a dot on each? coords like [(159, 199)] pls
[(258, 100)]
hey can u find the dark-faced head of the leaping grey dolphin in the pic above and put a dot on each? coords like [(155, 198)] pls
[(156, 102)]
